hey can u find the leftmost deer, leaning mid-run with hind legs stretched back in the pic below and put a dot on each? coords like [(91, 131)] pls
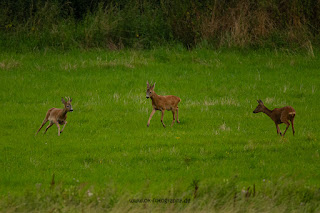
[(57, 116)]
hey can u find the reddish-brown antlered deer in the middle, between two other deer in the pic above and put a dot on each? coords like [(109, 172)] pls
[(162, 103)]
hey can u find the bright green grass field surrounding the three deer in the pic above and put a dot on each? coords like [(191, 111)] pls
[(106, 145)]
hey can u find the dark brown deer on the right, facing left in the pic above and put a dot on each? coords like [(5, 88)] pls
[(278, 115)]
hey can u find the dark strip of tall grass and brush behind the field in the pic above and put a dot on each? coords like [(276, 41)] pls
[(117, 24)]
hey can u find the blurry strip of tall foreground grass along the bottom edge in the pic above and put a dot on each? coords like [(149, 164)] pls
[(280, 196)]
